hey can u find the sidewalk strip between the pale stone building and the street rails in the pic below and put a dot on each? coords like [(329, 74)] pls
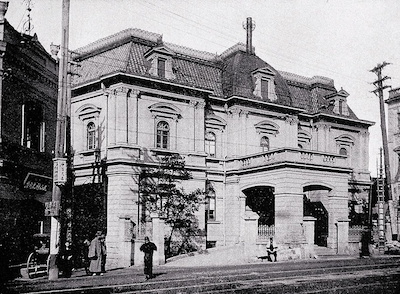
[(121, 278)]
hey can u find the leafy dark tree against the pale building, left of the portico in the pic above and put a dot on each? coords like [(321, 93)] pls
[(161, 192)]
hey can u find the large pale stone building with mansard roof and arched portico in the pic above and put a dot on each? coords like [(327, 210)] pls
[(280, 154)]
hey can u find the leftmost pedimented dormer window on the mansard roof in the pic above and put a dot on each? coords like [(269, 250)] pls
[(160, 59)]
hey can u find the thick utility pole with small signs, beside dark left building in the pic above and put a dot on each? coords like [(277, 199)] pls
[(60, 161)]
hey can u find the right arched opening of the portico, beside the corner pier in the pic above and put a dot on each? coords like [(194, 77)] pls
[(315, 200)]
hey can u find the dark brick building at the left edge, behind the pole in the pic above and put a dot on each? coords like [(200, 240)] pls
[(28, 103)]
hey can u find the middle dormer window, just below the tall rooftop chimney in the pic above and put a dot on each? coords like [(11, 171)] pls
[(264, 86)]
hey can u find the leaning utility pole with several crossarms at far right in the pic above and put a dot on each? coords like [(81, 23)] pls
[(379, 92)]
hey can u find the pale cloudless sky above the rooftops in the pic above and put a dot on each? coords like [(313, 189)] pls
[(339, 39)]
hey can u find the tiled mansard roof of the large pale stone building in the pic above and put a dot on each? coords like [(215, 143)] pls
[(228, 74)]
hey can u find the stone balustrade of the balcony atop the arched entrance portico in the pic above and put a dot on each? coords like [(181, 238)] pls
[(288, 155)]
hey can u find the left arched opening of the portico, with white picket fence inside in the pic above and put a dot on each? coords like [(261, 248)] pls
[(261, 199)]
